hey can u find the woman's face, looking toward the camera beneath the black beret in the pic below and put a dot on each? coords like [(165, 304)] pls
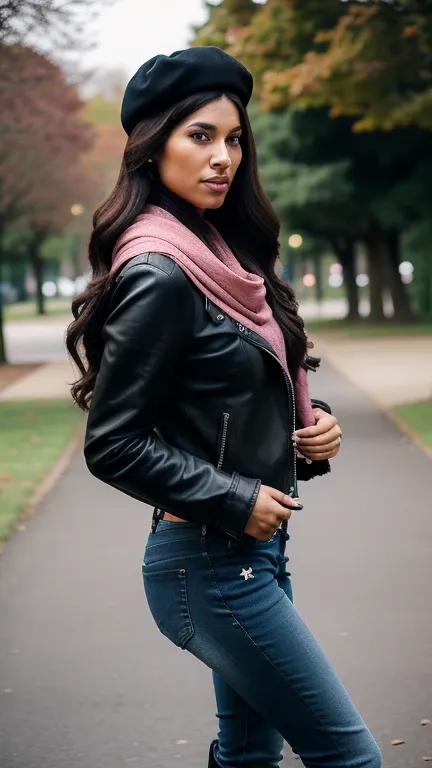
[(202, 154)]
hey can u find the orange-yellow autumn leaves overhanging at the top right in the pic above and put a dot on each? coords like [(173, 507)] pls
[(369, 61)]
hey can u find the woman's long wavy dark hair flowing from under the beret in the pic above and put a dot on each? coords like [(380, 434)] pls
[(246, 221)]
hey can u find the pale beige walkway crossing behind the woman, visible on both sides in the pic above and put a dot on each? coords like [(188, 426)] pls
[(391, 371)]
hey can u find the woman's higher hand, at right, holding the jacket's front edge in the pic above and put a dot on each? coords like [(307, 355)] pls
[(321, 441)]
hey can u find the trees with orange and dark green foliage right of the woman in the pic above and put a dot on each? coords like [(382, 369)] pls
[(343, 114)]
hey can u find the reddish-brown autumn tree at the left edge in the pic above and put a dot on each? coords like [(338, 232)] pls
[(45, 139)]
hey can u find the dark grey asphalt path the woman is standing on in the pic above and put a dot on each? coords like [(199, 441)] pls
[(86, 681)]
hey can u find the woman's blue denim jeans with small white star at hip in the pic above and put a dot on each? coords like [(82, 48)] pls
[(230, 605)]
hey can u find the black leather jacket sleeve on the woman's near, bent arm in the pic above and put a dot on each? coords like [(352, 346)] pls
[(146, 336)]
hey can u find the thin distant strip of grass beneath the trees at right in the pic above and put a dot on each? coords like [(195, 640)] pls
[(365, 330)]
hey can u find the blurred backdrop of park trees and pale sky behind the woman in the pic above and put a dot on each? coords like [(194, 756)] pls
[(342, 118)]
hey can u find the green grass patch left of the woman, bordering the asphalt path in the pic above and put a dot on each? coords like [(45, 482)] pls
[(32, 437)]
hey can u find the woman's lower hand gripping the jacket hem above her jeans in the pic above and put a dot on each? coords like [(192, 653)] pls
[(271, 508)]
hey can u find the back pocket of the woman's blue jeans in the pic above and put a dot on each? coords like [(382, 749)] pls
[(167, 597)]
